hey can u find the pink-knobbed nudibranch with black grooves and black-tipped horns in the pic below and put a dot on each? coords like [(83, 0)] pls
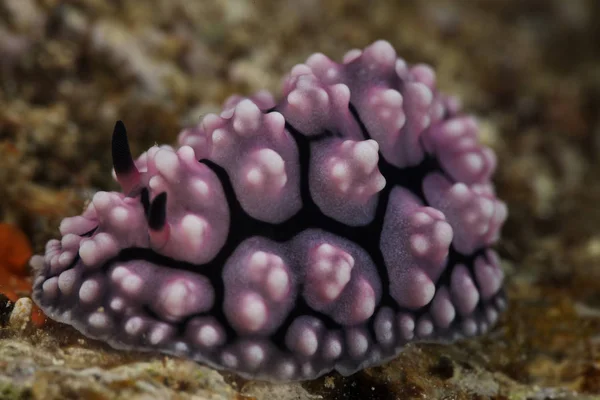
[(283, 240)]
